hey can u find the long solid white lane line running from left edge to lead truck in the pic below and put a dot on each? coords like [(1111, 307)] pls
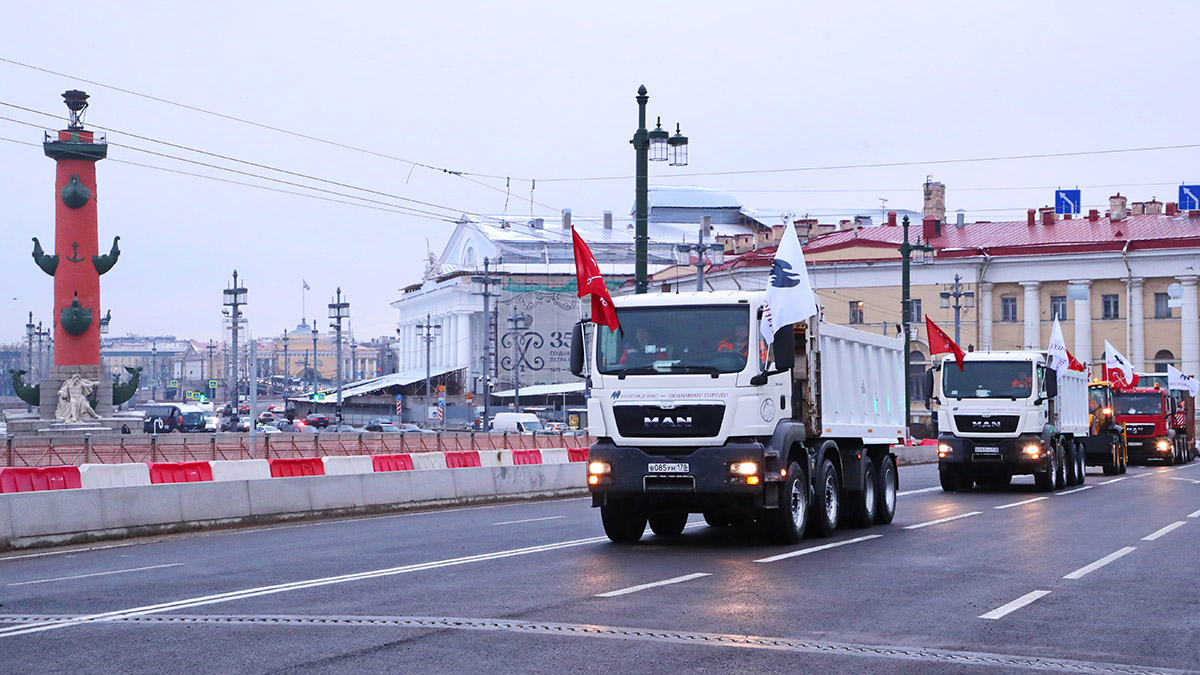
[(292, 587)]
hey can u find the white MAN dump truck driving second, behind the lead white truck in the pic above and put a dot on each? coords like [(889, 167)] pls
[(1010, 414)]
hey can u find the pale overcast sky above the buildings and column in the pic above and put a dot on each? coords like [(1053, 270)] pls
[(545, 91)]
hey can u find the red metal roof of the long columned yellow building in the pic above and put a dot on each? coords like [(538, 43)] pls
[(1012, 238)]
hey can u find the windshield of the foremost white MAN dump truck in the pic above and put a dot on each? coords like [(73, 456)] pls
[(683, 339)]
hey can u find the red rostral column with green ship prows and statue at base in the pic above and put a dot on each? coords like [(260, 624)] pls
[(77, 397)]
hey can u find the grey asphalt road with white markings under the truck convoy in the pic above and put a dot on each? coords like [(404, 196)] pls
[(1101, 580)]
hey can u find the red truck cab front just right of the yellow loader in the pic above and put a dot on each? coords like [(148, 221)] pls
[(1155, 423)]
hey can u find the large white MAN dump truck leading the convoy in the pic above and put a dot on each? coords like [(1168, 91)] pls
[(694, 414)]
